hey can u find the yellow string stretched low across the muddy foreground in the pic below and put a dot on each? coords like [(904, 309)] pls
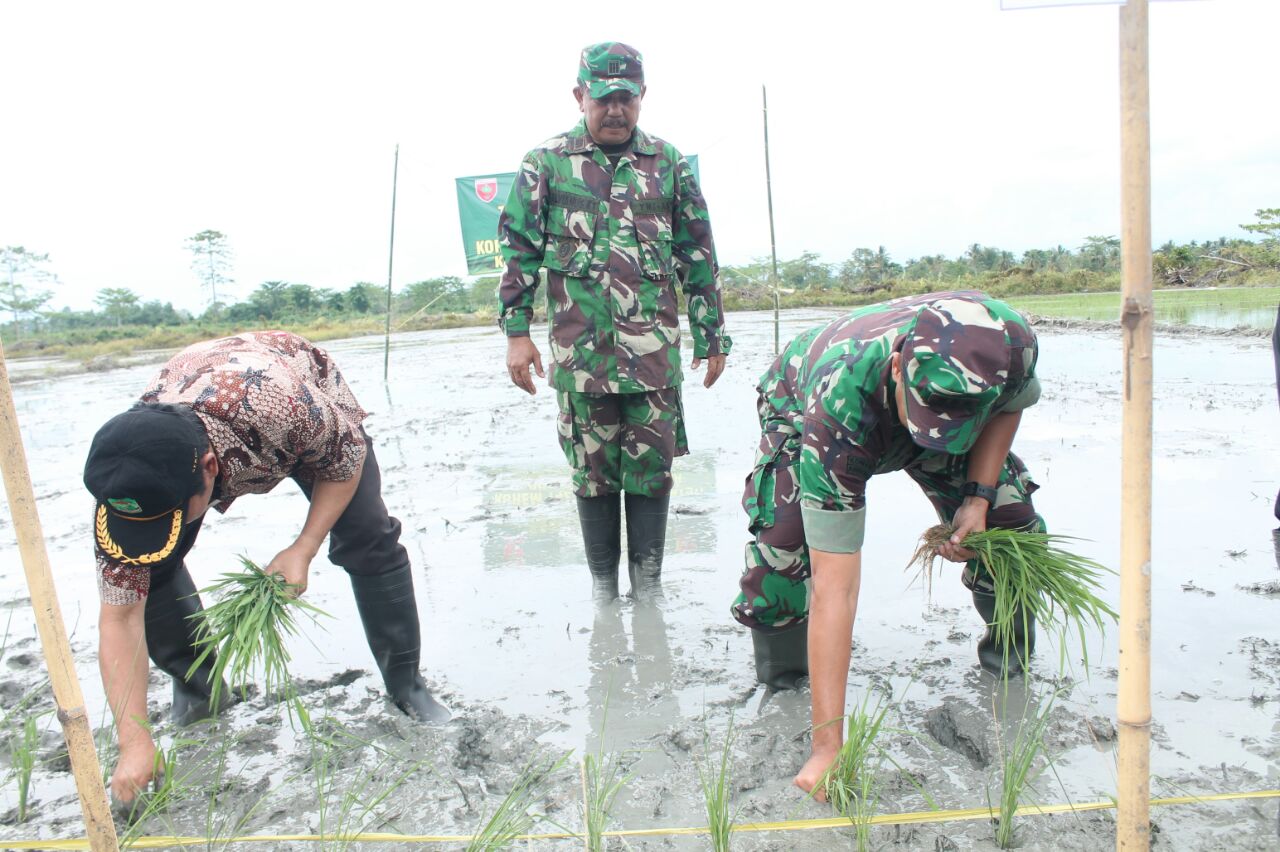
[(785, 826)]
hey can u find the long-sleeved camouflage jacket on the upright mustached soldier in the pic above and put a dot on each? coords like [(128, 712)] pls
[(615, 241)]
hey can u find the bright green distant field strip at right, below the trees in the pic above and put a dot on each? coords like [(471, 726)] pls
[(1251, 306)]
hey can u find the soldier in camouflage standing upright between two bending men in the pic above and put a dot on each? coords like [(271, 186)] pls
[(618, 221)]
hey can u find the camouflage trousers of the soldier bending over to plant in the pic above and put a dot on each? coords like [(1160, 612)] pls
[(775, 585)]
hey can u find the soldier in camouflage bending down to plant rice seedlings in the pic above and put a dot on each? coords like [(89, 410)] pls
[(931, 384)]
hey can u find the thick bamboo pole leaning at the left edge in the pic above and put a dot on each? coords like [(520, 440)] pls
[(49, 622)]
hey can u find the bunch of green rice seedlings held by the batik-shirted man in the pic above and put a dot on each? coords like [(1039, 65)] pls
[(248, 629)]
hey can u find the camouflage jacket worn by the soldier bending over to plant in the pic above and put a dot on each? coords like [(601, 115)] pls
[(828, 404)]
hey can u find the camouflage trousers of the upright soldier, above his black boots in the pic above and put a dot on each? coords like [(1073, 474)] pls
[(621, 442)]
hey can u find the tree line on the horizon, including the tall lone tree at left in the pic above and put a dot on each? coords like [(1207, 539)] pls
[(866, 276)]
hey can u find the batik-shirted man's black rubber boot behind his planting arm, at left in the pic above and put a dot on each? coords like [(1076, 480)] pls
[(172, 647)]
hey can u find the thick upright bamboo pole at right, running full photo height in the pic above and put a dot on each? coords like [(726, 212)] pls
[(1133, 703)]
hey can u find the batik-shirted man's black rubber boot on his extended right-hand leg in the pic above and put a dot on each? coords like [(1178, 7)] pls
[(390, 615)]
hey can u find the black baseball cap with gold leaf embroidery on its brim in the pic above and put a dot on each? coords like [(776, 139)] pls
[(143, 469)]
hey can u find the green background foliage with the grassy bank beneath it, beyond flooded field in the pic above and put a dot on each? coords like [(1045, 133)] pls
[(126, 324)]
